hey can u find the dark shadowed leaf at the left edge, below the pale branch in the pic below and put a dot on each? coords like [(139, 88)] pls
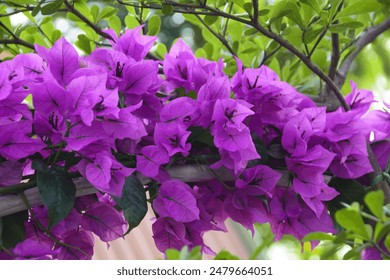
[(13, 229)]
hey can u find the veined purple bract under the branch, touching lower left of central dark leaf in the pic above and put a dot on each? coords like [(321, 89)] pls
[(104, 221)]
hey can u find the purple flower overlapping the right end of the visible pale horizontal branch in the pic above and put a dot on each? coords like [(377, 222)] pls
[(258, 180)]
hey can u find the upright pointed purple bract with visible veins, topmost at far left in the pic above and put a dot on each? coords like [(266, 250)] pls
[(62, 60)]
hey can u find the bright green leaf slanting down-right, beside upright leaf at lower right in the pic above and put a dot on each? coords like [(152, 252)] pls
[(352, 221)]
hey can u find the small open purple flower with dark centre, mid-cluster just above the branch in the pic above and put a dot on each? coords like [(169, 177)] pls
[(172, 136)]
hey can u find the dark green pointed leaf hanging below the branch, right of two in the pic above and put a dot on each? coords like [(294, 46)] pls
[(133, 201)]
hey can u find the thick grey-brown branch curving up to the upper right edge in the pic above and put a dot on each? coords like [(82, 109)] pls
[(368, 37)]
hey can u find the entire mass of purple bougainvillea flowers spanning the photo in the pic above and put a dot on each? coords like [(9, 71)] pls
[(116, 115)]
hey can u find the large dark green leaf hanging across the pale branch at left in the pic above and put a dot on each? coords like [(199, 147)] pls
[(58, 192)]
